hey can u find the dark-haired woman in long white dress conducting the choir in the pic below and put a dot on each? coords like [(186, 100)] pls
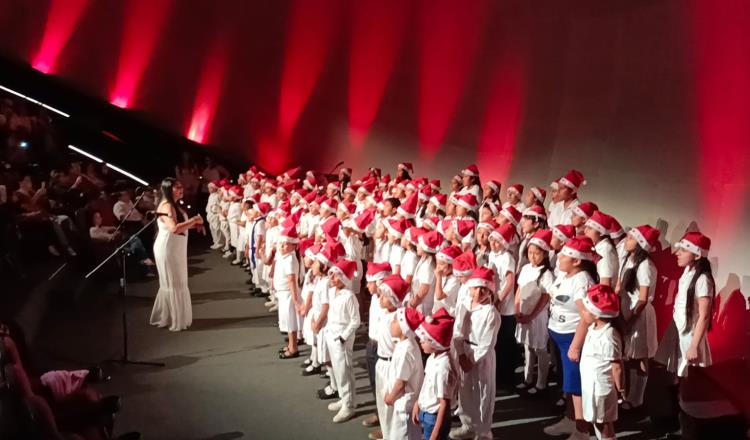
[(172, 306)]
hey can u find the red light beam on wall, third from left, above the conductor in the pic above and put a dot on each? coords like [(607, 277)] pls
[(209, 91)]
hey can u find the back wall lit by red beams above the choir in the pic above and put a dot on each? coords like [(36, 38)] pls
[(649, 98)]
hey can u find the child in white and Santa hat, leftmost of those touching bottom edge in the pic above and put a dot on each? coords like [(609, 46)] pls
[(391, 294)]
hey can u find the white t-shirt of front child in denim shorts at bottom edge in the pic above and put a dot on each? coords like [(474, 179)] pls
[(440, 382)]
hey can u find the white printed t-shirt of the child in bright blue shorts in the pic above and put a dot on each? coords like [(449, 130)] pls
[(565, 292)]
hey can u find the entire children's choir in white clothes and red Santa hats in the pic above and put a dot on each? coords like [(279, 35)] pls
[(459, 284)]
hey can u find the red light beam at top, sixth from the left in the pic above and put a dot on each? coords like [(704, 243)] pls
[(448, 40)]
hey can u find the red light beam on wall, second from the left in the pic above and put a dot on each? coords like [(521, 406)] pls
[(144, 19)]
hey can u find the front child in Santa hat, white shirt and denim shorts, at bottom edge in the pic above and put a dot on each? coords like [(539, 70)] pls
[(432, 409)]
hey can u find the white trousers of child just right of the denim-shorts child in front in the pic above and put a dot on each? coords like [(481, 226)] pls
[(476, 396)]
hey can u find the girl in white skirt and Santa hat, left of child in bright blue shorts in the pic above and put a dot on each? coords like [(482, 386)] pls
[(532, 310)]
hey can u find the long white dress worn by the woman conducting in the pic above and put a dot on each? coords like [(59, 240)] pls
[(172, 306)]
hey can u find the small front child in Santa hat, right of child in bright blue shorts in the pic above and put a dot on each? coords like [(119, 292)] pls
[(601, 371)]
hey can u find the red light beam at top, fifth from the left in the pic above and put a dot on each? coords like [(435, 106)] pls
[(377, 31)]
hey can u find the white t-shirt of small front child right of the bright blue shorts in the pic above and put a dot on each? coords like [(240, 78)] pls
[(601, 347)]
